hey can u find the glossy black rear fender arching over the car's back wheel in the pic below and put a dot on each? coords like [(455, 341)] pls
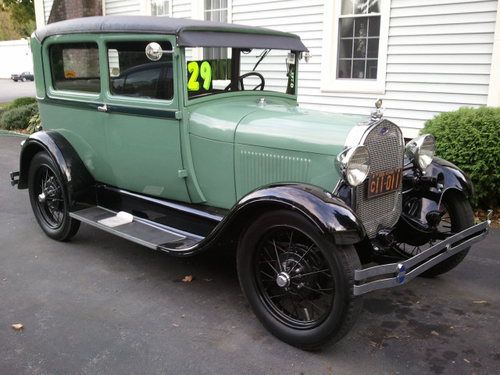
[(76, 177)]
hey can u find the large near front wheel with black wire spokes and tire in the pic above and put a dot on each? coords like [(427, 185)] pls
[(291, 321)]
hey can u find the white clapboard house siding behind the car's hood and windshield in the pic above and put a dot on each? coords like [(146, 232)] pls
[(439, 55)]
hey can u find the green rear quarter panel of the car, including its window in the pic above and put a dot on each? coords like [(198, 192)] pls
[(73, 93)]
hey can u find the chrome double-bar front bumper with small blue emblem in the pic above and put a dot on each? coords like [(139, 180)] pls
[(395, 274)]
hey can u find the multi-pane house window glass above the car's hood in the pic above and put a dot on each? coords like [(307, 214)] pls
[(359, 32)]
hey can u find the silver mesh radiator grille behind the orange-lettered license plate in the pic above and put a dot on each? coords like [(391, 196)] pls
[(386, 147)]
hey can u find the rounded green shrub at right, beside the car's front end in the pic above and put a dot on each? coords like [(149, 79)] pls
[(469, 138)]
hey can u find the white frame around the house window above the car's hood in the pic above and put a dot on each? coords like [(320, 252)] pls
[(329, 80)]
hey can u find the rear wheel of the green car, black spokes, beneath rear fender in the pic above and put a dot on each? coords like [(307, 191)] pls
[(49, 198)]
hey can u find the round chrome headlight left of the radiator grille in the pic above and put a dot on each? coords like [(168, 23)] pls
[(354, 163)]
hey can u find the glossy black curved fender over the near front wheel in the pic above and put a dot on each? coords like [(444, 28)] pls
[(329, 214)]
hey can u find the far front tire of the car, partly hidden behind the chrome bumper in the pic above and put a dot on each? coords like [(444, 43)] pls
[(462, 217)]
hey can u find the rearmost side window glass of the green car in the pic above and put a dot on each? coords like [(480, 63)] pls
[(75, 67)]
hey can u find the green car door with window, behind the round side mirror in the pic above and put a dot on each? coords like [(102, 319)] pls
[(142, 132)]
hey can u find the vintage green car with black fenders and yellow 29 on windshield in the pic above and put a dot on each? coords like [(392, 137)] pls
[(181, 135)]
